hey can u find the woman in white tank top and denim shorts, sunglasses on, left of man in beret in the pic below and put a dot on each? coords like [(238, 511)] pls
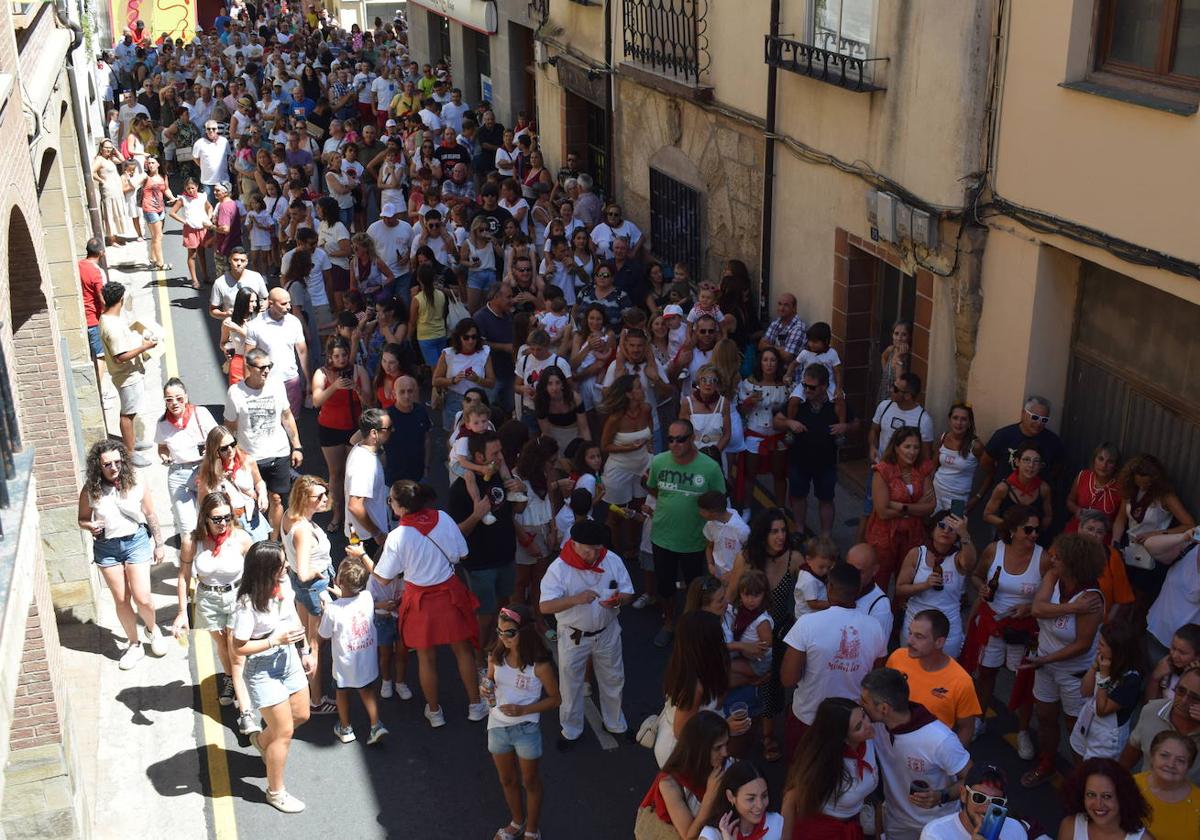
[(520, 670)]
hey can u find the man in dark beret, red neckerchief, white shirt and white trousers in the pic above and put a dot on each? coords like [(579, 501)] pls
[(585, 587)]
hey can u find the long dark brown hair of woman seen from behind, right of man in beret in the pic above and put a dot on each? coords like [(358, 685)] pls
[(699, 658)]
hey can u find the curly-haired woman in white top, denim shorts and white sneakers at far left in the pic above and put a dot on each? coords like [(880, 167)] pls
[(119, 514)]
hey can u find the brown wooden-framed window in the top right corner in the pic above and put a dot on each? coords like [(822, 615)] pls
[(1151, 40)]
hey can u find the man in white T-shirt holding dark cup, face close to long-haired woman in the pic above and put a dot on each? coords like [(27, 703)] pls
[(925, 759)]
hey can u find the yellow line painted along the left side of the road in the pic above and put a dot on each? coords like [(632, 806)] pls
[(225, 826)]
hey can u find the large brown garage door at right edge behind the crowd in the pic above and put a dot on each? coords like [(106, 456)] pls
[(1136, 377)]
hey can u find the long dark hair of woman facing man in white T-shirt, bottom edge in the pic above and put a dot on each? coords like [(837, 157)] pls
[(818, 773)]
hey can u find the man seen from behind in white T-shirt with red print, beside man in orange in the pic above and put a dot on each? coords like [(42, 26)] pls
[(830, 652)]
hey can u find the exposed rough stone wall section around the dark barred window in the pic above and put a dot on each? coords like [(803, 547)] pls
[(717, 154)]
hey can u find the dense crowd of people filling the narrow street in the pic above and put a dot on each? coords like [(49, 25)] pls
[(398, 263)]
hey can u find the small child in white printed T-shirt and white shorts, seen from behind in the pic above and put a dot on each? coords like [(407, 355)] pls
[(350, 626)]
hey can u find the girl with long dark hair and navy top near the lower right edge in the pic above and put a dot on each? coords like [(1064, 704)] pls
[(1113, 688)]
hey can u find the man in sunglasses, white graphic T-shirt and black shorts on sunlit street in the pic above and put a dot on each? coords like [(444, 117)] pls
[(257, 412)]
